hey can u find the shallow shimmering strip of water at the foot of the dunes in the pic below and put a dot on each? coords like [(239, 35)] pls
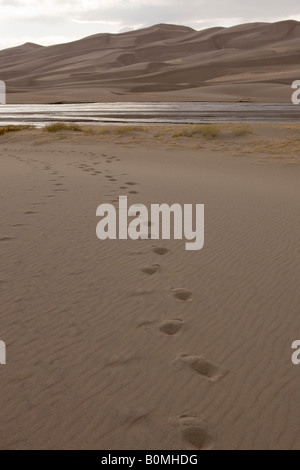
[(159, 112)]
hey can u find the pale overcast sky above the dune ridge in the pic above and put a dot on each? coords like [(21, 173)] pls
[(53, 21)]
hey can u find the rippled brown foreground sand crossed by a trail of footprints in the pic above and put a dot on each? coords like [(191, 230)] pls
[(104, 353)]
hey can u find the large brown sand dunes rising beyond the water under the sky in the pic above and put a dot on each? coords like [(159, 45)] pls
[(256, 61)]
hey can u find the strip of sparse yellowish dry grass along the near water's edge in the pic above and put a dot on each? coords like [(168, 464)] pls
[(262, 140)]
